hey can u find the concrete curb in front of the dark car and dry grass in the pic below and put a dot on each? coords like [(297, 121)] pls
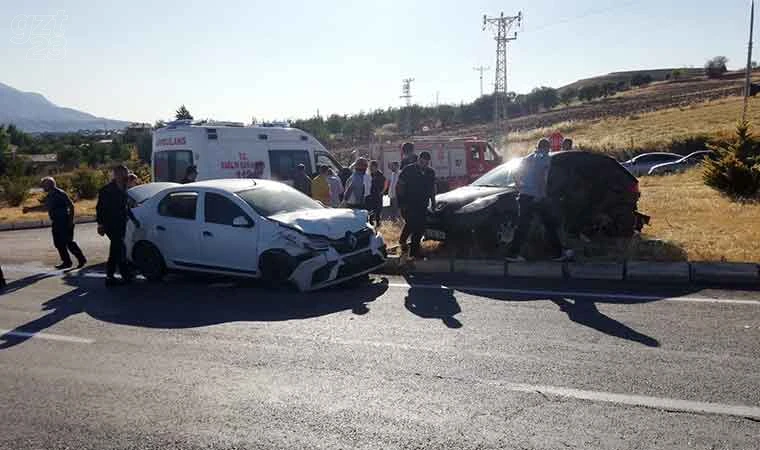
[(656, 272)]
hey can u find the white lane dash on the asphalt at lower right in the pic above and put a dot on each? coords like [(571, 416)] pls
[(669, 404)]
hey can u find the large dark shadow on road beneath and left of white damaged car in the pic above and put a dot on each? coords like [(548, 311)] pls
[(190, 304)]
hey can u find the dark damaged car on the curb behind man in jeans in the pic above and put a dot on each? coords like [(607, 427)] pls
[(592, 193)]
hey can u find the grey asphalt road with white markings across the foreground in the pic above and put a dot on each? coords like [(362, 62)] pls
[(199, 362)]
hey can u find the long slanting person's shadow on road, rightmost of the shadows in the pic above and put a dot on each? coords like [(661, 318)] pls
[(586, 313)]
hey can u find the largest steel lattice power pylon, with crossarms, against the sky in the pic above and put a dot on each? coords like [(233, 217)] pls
[(503, 25)]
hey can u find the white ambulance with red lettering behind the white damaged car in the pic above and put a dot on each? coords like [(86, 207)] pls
[(232, 150)]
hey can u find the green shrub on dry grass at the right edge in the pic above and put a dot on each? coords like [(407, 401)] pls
[(736, 171)]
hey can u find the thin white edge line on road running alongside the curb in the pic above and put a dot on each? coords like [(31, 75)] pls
[(550, 293)]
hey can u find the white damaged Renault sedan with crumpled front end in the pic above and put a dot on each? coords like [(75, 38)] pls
[(251, 228)]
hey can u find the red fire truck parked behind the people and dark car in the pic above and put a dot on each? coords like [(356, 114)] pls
[(457, 161)]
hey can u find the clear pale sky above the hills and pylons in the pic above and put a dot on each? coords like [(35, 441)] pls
[(231, 60)]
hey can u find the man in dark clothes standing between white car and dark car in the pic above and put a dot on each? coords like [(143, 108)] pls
[(415, 191)]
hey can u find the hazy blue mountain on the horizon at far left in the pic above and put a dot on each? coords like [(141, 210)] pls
[(33, 113)]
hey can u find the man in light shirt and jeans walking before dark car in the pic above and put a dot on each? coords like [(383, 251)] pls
[(531, 181)]
